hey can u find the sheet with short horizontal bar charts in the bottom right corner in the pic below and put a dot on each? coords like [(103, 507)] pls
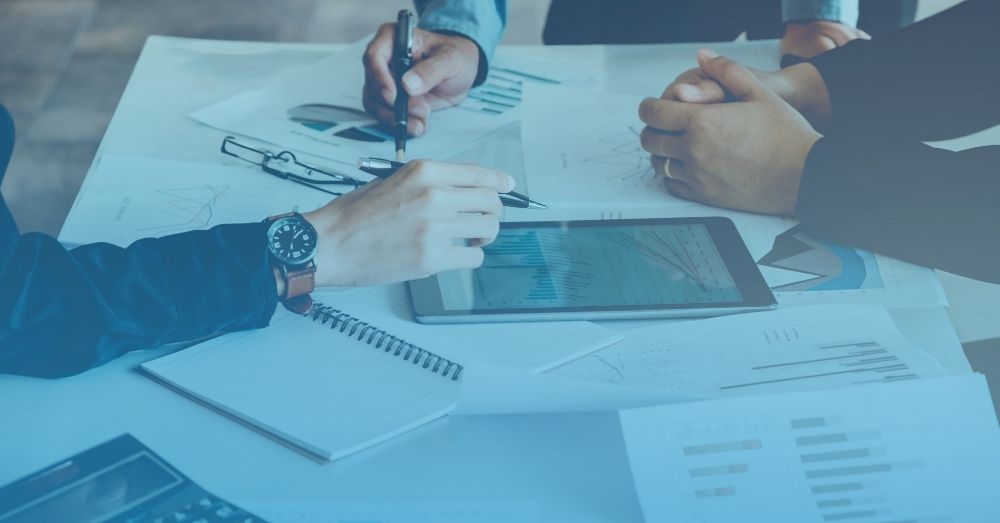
[(926, 450)]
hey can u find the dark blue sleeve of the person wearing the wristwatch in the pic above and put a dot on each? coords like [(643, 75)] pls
[(63, 312)]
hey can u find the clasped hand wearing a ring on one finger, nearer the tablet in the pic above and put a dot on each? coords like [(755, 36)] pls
[(746, 155)]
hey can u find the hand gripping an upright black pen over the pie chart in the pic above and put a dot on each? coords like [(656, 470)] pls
[(443, 72)]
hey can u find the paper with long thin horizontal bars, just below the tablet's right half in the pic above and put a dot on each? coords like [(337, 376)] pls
[(787, 350)]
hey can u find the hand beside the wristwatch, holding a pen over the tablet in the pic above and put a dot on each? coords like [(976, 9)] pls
[(410, 225)]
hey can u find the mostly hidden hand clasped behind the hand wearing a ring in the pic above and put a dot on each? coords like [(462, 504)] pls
[(801, 86)]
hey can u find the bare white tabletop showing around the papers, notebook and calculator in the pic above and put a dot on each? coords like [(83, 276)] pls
[(569, 467)]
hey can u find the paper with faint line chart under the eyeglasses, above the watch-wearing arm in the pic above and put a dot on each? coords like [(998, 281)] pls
[(129, 197)]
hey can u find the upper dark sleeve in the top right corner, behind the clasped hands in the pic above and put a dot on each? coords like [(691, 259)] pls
[(933, 80)]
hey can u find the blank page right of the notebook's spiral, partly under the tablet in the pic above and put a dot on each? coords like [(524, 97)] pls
[(532, 346)]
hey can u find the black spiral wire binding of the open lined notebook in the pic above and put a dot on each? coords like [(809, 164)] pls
[(380, 339)]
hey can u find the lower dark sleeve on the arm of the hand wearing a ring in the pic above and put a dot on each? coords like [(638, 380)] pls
[(907, 200)]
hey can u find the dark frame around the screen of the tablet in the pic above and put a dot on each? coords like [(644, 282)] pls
[(426, 297)]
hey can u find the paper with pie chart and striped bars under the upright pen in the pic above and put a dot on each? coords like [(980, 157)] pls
[(319, 110)]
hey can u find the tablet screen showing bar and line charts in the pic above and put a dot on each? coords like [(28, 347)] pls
[(606, 265)]
